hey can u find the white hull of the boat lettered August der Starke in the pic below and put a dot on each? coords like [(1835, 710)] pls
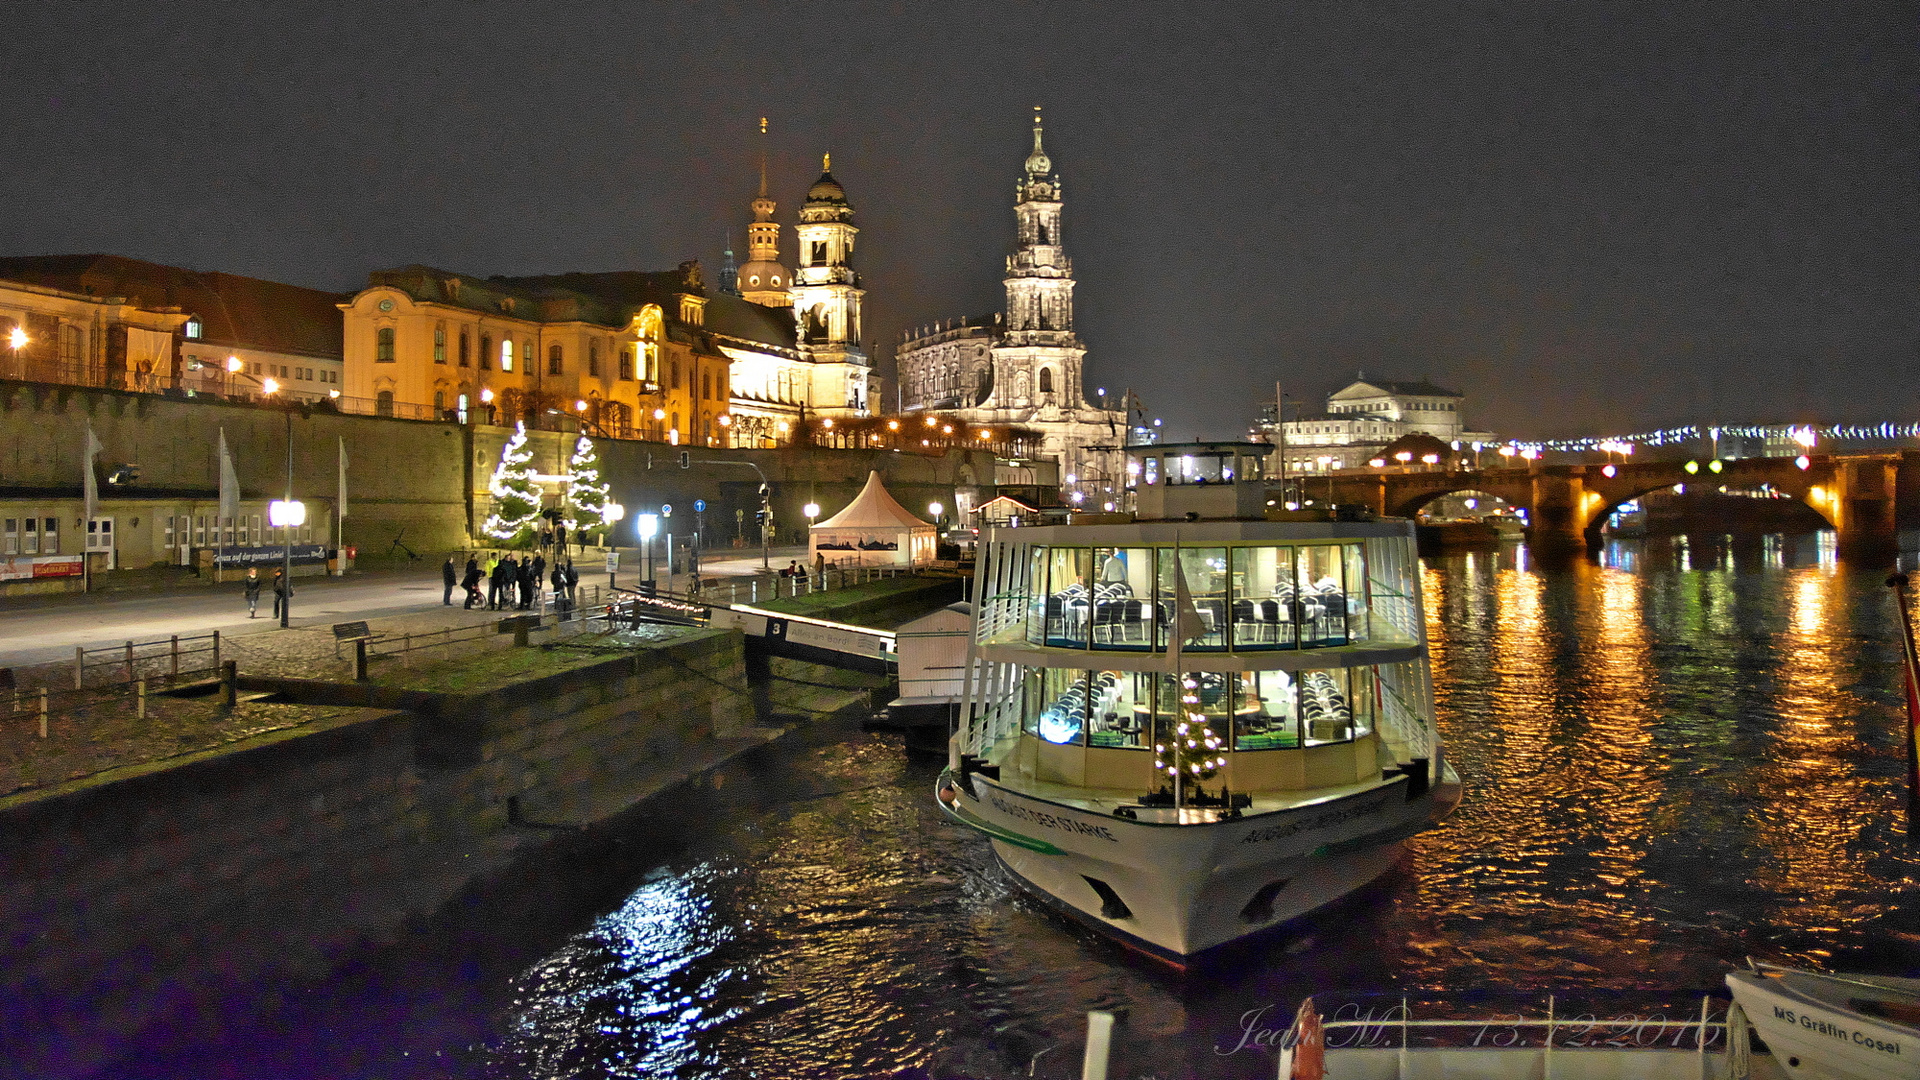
[(1186, 891)]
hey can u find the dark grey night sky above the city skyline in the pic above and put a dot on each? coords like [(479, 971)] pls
[(1585, 218)]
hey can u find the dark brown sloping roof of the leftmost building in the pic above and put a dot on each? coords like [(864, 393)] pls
[(245, 312)]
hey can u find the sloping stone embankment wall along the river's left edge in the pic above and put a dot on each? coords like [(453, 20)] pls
[(176, 893)]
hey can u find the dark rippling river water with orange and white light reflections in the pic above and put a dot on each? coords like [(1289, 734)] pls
[(1683, 756)]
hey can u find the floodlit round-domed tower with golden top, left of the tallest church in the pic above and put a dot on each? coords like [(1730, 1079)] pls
[(827, 299)]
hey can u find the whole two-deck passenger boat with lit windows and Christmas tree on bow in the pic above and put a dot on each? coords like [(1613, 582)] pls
[(1199, 722)]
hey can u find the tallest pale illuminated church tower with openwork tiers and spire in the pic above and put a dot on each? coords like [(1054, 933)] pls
[(1040, 360)]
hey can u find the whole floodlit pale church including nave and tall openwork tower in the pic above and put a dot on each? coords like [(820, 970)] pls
[(1024, 366)]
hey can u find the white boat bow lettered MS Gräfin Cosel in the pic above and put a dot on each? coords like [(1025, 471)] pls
[(1835, 1027)]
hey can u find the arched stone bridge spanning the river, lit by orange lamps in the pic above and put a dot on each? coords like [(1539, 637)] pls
[(1865, 497)]
